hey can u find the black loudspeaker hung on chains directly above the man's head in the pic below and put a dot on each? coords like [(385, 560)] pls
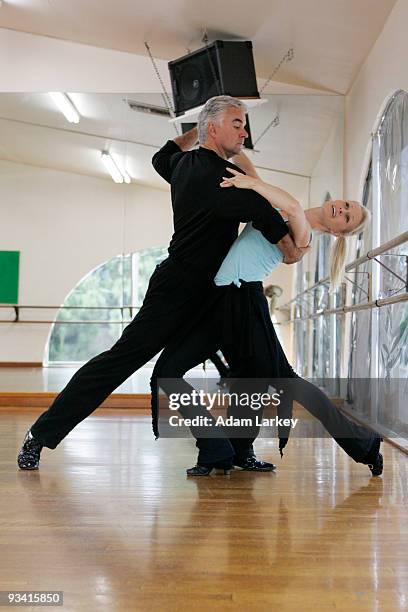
[(224, 67)]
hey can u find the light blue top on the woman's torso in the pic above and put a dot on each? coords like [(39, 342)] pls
[(250, 258)]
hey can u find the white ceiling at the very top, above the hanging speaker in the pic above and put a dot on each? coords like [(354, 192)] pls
[(331, 38)]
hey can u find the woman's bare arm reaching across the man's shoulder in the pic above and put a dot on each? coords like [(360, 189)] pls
[(300, 228)]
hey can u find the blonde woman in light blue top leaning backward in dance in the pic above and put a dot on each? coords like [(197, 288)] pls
[(242, 301)]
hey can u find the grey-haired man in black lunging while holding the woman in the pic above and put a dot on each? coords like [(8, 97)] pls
[(206, 221)]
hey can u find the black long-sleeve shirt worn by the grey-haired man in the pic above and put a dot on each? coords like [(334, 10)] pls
[(207, 216)]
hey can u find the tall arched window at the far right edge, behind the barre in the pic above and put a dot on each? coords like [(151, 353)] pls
[(390, 151)]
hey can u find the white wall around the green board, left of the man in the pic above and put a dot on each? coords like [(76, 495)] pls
[(65, 225)]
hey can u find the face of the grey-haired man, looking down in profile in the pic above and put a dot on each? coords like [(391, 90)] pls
[(230, 133)]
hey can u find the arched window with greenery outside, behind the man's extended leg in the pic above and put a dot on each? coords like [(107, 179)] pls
[(116, 290)]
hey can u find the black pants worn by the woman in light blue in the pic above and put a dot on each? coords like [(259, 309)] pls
[(261, 356)]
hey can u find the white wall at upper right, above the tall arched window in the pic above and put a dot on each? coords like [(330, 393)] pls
[(384, 71)]
